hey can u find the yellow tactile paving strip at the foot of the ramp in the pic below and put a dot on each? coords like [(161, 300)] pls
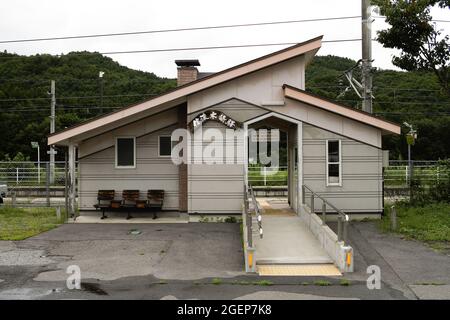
[(299, 270)]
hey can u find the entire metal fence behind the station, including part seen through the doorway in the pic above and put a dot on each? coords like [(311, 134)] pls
[(38, 183)]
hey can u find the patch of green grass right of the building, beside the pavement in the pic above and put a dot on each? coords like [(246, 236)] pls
[(429, 223)]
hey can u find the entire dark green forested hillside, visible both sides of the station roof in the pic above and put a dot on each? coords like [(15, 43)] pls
[(25, 105)]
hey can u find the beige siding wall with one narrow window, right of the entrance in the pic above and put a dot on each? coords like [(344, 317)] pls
[(361, 189)]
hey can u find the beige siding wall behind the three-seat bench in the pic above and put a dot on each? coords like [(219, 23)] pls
[(97, 171)]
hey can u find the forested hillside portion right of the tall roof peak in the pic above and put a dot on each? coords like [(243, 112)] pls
[(415, 97)]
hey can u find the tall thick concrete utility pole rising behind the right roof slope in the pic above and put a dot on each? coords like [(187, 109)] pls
[(366, 62)]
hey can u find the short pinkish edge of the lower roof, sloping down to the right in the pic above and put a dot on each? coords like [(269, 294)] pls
[(334, 107)]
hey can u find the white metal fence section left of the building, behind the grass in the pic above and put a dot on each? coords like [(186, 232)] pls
[(34, 183)]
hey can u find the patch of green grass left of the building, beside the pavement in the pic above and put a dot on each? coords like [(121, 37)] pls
[(22, 223)]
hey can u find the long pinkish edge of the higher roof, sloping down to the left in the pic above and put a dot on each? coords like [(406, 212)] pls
[(188, 89)]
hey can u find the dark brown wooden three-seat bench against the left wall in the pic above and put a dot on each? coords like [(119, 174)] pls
[(130, 202)]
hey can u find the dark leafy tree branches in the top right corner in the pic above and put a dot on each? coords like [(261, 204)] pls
[(422, 45)]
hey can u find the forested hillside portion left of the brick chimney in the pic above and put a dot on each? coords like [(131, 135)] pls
[(27, 79)]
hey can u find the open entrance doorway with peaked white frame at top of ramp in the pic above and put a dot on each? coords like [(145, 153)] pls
[(276, 185)]
